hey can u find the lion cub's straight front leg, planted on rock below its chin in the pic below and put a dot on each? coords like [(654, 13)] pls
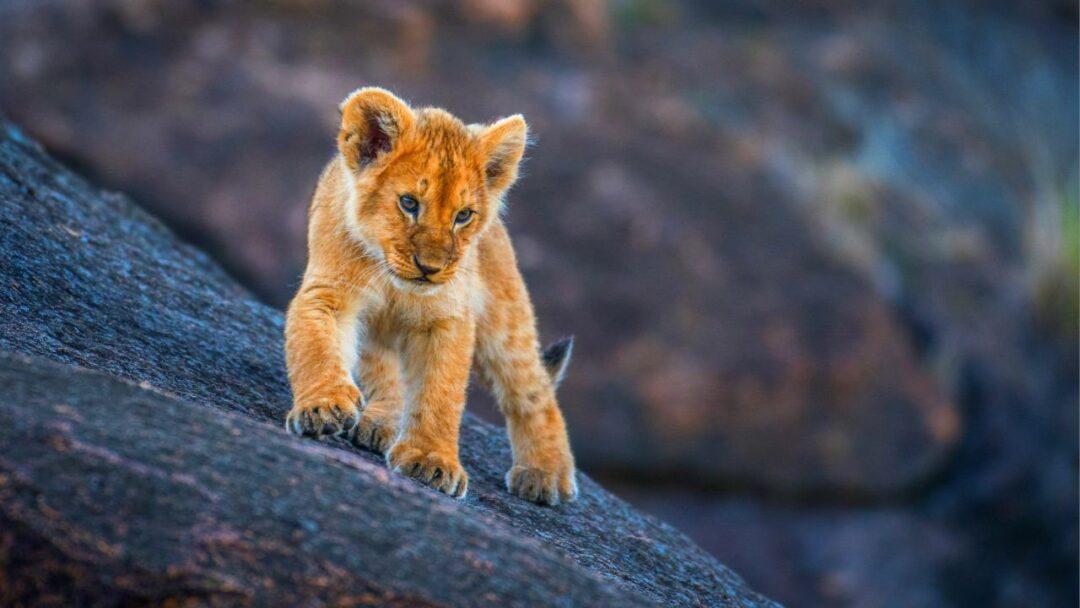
[(437, 364)]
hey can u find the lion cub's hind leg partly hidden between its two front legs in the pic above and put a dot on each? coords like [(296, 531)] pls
[(380, 373)]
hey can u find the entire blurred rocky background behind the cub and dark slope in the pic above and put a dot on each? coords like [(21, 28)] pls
[(821, 259)]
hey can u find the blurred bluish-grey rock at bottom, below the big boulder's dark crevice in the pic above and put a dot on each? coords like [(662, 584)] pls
[(823, 556)]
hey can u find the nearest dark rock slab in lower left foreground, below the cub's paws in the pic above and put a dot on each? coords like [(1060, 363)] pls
[(115, 494)]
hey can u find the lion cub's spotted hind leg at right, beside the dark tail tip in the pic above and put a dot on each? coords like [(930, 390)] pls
[(509, 361)]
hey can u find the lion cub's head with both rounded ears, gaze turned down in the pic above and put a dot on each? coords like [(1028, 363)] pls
[(424, 185)]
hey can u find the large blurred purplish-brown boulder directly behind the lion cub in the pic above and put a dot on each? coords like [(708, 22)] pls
[(721, 342)]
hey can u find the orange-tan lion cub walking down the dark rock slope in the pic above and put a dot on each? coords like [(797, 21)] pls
[(411, 280)]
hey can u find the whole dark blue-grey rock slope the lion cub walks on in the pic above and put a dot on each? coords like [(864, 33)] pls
[(157, 468)]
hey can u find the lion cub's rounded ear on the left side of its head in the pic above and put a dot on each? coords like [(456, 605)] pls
[(373, 120)]
